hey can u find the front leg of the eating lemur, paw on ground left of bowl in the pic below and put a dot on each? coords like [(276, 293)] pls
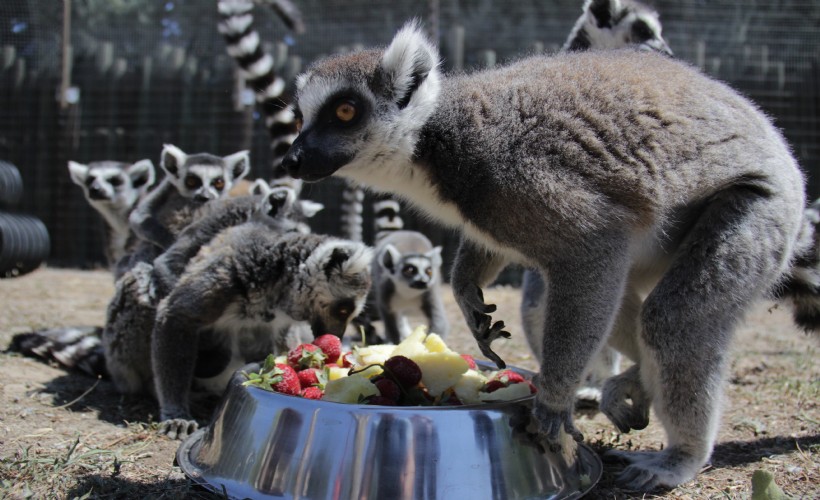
[(197, 301)]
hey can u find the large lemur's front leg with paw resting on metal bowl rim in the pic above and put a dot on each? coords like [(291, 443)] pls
[(585, 290)]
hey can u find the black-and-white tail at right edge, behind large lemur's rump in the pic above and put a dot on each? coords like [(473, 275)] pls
[(802, 286)]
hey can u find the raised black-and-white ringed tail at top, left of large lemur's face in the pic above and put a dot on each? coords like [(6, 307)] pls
[(260, 69)]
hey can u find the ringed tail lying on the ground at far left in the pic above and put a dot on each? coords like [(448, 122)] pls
[(73, 348)]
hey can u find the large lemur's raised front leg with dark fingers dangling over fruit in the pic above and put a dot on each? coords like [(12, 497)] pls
[(475, 267)]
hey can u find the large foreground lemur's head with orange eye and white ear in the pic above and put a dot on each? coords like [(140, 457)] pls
[(363, 109)]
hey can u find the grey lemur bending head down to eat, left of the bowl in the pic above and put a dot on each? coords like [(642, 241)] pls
[(237, 302)]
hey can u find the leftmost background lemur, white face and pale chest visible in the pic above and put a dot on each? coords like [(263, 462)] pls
[(114, 189)]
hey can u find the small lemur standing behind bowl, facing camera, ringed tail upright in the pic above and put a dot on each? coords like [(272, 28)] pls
[(406, 276)]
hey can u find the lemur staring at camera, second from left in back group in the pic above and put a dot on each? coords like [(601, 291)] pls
[(190, 181)]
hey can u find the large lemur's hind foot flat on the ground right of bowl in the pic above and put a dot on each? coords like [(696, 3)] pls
[(651, 470)]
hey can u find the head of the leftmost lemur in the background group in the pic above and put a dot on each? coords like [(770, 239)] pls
[(112, 184)]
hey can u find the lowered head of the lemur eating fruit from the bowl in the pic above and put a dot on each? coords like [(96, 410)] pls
[(334, 285)]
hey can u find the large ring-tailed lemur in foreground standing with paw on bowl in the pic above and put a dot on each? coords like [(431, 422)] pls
[(613, 173)]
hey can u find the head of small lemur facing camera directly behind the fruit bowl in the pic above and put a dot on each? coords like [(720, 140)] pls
[(412, 272)]
